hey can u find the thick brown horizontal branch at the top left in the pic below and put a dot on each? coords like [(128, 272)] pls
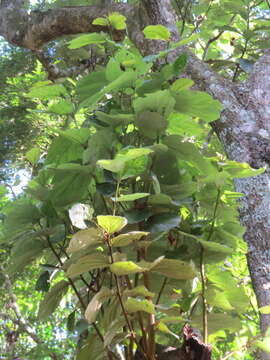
[(33, 30)]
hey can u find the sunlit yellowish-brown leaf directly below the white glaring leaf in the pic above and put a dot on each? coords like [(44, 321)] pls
[(82, 239)]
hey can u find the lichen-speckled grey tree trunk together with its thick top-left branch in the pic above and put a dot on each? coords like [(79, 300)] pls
[(244, 126)]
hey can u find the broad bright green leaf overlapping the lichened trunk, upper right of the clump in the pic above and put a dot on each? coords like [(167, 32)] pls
[(198, 104)]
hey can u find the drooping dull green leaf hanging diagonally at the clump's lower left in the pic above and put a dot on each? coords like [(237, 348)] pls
[(52, 299)]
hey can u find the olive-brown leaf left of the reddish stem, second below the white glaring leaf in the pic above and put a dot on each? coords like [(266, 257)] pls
[(88, 263)]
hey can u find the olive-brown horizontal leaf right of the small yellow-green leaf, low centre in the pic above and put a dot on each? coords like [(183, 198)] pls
[(175, 269)]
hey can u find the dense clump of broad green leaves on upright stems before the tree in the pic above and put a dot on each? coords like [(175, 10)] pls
[(130, 216)]
